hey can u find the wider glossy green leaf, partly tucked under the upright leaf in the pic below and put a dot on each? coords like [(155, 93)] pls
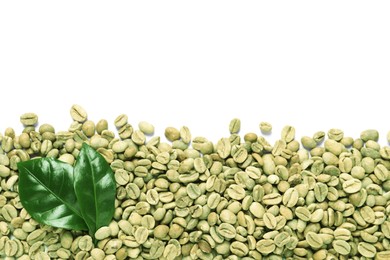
[(46, 191)]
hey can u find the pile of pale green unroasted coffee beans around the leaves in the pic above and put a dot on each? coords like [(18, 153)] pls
[(193, 199)]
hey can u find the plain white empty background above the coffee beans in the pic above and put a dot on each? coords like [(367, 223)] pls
[(312, 64)]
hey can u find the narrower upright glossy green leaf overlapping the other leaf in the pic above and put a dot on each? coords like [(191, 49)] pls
[(95, 188)]
